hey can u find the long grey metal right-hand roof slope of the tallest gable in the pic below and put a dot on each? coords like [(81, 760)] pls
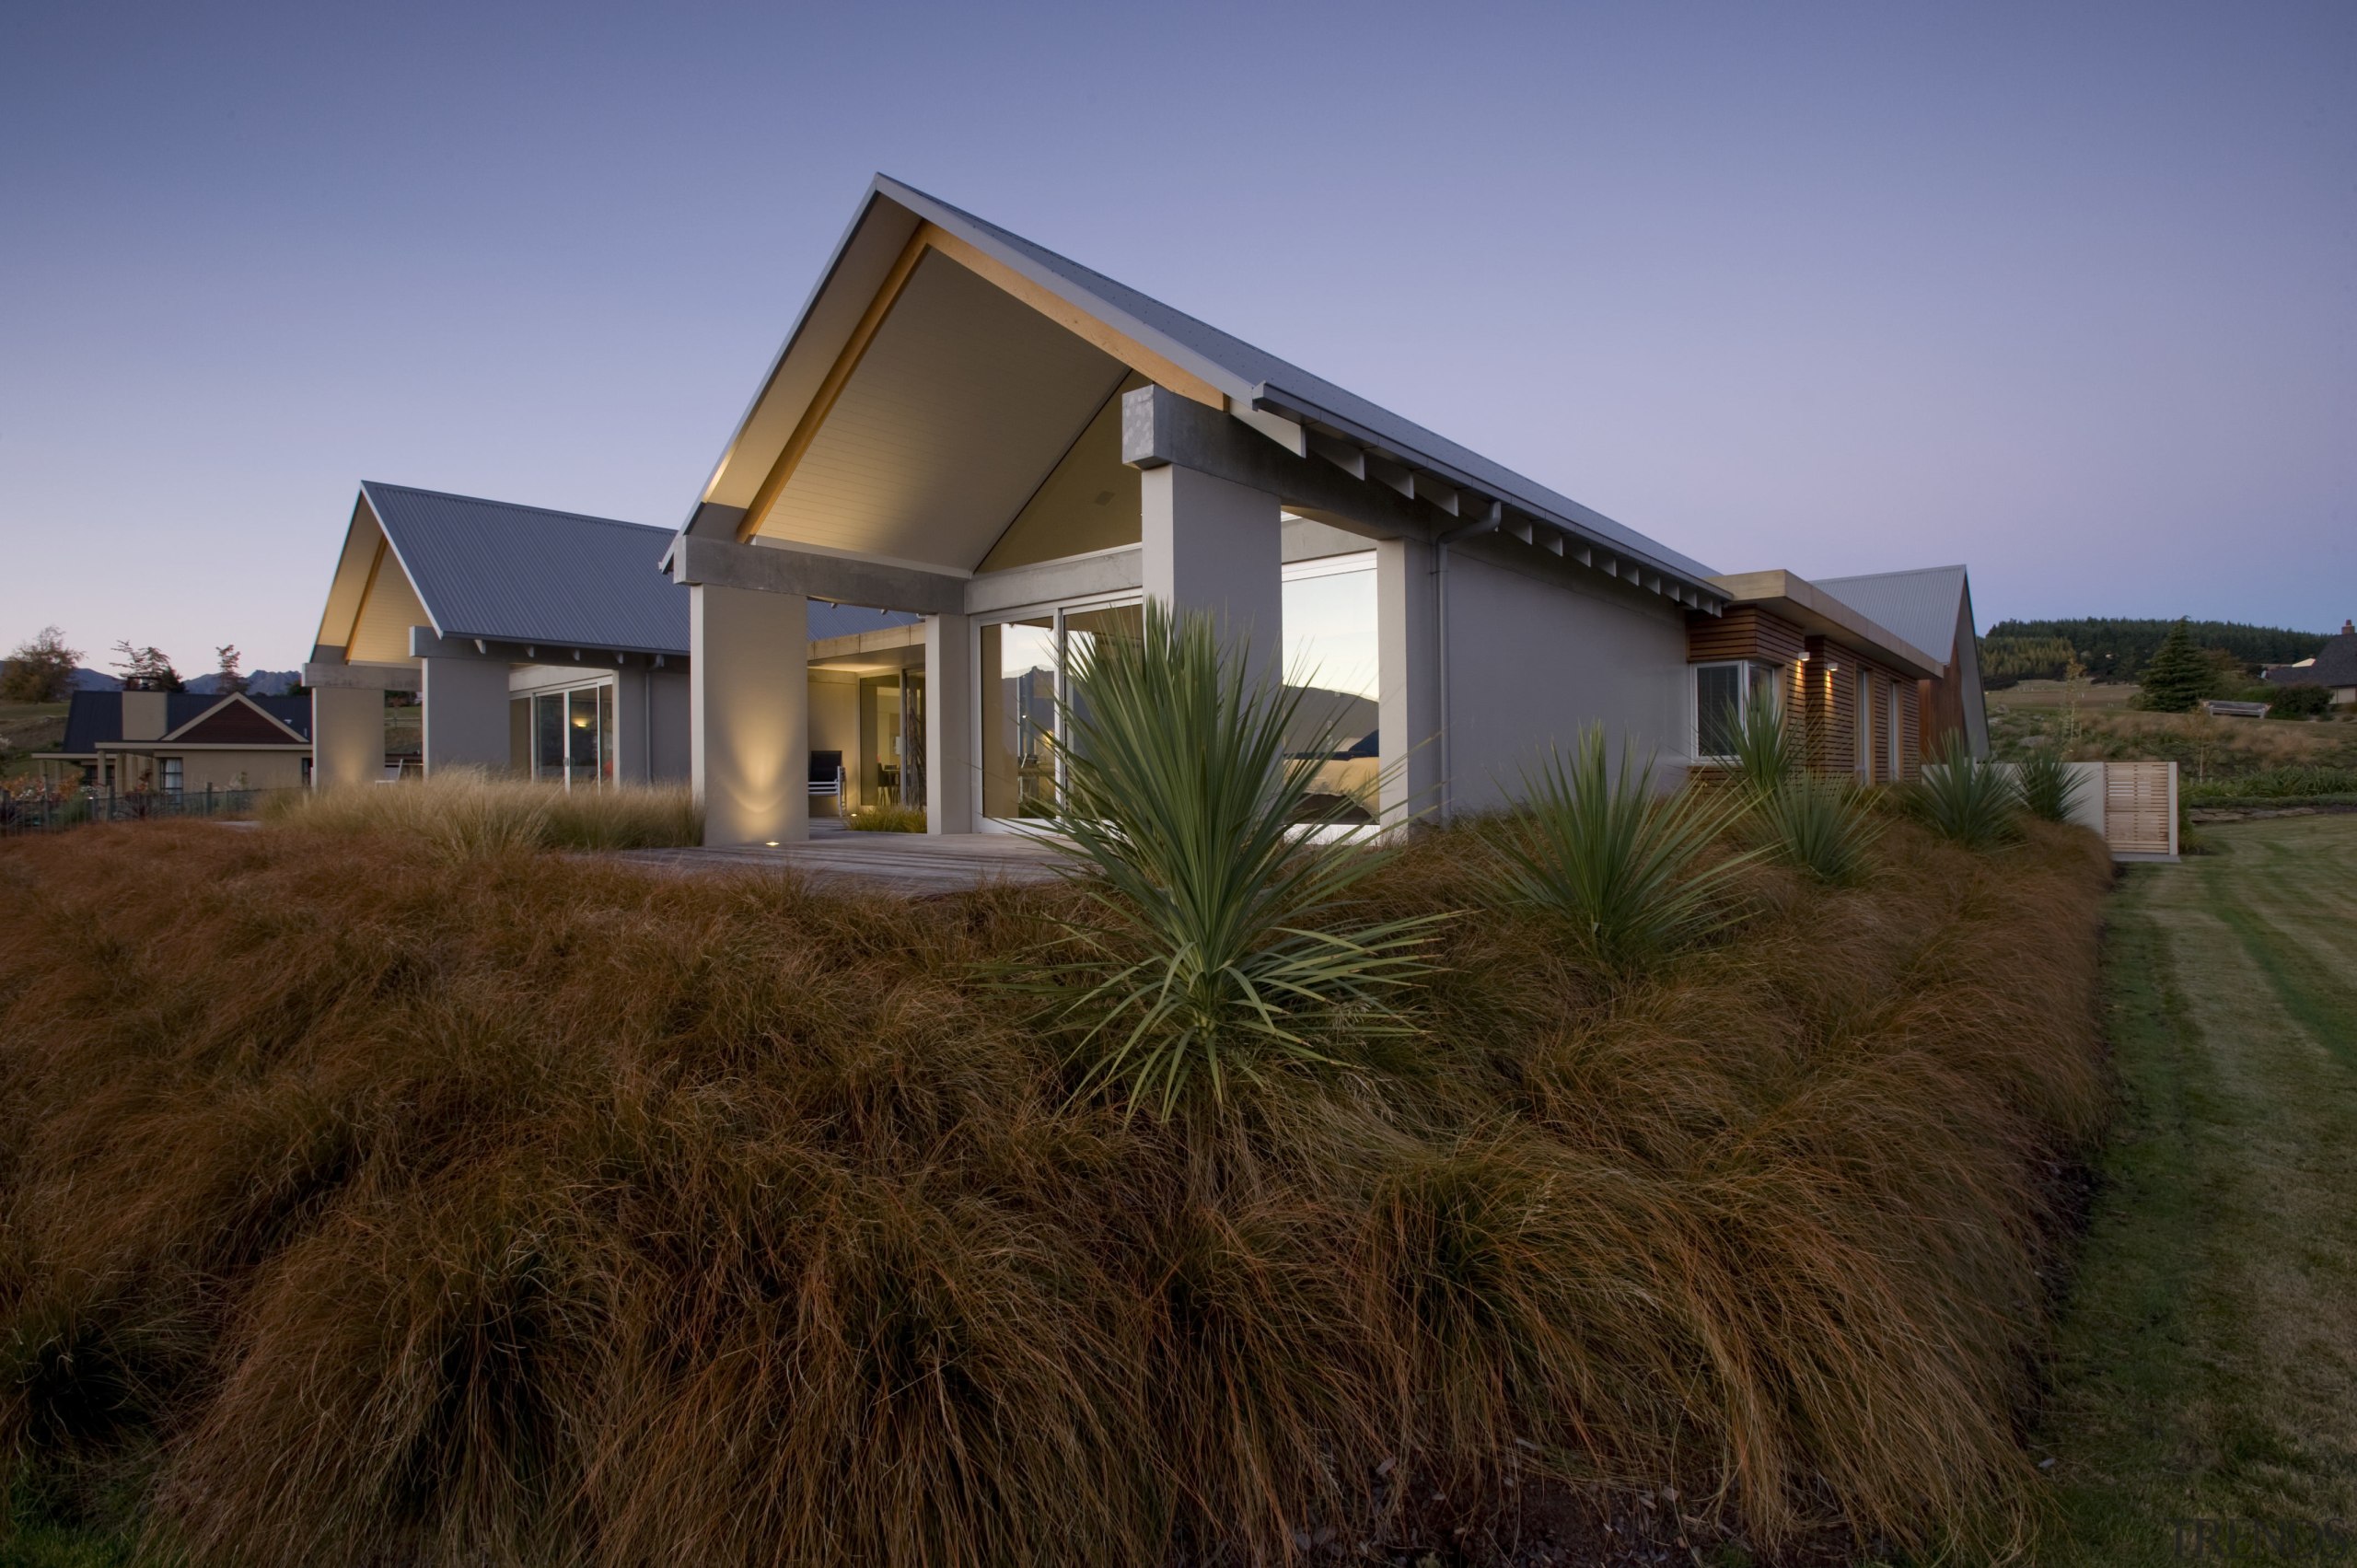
[(1265, 381)]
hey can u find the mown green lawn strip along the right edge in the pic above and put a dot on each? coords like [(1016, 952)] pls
[(2210, 1352)]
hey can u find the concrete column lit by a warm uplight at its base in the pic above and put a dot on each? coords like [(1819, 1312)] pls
[(751, 713)]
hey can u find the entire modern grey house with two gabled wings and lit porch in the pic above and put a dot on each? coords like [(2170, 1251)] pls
[(1005, 454)]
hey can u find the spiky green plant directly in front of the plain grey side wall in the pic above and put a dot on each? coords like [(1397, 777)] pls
[(1620, 862)]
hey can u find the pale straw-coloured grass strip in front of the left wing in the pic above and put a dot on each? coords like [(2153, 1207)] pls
[(468, 812)]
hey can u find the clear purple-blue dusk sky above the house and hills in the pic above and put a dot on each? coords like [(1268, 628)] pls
[(2064, 291)]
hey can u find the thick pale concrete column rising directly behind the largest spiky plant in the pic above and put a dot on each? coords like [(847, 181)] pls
[(1217, 546)]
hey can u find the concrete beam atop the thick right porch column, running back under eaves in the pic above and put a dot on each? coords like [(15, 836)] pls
[(1166, 430)]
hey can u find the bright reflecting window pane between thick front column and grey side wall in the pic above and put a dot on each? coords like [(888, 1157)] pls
[(1335, 673)]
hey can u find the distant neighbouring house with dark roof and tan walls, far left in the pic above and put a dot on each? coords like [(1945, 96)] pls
[(176, 742)]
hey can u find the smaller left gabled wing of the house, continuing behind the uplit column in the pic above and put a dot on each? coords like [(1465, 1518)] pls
[(543, 645)]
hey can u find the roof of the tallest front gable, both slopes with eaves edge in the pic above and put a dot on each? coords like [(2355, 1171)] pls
[(1255, 386)]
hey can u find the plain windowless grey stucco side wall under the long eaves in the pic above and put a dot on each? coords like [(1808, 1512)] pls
[(1533, 661)]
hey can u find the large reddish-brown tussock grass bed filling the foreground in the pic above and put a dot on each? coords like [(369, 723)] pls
[(543, 1211)]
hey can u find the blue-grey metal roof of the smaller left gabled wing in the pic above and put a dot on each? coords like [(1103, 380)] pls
[(527, 574)]
